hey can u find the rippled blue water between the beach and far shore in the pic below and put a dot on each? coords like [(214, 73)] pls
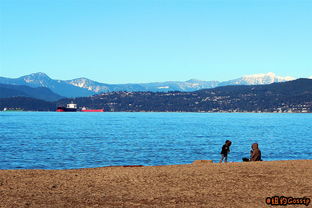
[(51, 140)]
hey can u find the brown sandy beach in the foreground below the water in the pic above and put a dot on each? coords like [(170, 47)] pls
[(190, 185)]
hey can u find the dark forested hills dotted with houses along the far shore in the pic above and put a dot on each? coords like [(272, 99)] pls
[(290, 96)]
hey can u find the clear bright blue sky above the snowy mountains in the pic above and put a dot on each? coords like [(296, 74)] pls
[(131, 41)]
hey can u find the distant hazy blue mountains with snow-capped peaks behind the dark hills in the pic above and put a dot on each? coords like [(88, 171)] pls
[(82, 87)]
